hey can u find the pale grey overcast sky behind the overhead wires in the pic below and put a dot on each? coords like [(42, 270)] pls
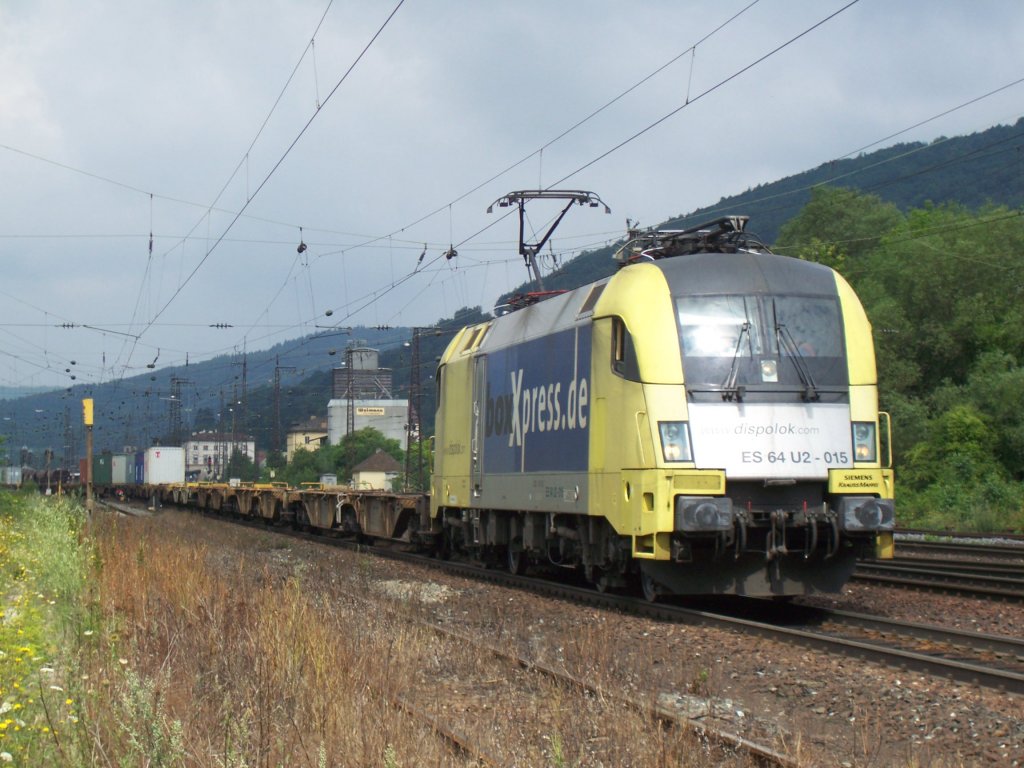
[(121, 119)]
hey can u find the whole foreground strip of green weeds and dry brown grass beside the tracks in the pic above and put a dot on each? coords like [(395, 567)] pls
[(140, 644)]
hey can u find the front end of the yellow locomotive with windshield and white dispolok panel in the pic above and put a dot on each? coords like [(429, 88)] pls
[(782, 428)]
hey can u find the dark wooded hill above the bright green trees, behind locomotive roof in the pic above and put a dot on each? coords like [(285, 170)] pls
[(986, 167)]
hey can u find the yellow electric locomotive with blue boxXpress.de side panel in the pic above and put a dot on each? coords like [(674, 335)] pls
[(706, 421)]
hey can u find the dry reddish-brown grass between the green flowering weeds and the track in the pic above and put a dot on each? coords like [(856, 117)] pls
[(221, 656)]
